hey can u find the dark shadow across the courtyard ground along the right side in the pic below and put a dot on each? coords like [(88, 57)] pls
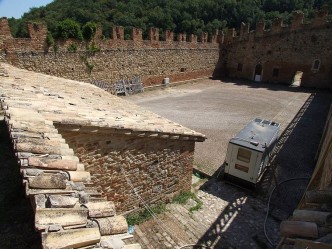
[(295, 157)]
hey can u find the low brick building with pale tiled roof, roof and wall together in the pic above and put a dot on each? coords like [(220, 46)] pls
[(86, 155)]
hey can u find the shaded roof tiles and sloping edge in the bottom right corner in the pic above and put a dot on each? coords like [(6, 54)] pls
[(310, 226)]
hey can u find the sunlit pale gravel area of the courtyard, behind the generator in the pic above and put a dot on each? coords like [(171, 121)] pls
[(221, 109)]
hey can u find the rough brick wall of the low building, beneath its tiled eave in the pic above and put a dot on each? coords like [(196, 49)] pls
[(158, 168)]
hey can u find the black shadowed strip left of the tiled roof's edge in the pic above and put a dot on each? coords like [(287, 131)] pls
[(16, 214)]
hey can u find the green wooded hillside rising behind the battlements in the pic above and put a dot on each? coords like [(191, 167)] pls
[(189, 16)]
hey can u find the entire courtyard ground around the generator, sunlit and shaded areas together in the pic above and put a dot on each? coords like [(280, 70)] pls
[(232, 217)]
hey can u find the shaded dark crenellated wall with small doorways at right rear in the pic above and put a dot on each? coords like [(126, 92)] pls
[(282, 51)]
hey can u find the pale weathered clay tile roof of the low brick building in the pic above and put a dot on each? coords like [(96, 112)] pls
[(69, 211)]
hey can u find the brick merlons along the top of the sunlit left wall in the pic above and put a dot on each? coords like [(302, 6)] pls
[(38, 33)]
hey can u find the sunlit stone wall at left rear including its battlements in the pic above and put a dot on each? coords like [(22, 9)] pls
[(178, 57)]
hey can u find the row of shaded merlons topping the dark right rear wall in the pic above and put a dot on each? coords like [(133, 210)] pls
[(278, 27)]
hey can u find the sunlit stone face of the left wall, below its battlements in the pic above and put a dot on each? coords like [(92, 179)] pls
[(112, 65)]
